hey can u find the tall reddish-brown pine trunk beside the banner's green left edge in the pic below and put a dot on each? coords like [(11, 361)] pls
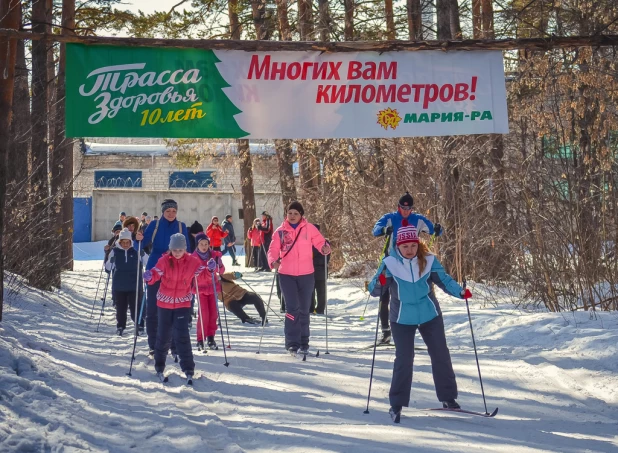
[(63, 148)]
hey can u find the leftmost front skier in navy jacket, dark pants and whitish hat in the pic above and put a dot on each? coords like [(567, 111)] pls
[(123, 261)]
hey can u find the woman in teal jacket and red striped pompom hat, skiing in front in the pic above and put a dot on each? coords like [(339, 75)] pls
[(410, 273)]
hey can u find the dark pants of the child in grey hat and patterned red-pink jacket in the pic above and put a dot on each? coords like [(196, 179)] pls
[(174, 324)]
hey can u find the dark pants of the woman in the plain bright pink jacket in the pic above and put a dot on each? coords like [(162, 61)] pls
[(297, 291)]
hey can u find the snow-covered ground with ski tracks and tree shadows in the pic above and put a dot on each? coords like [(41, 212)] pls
[(63, 387)]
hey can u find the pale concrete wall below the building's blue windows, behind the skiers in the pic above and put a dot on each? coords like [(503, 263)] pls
[(192, 205)]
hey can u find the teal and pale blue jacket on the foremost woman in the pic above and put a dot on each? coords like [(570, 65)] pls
[(412, 298)]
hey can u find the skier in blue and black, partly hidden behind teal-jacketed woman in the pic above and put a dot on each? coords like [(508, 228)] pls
[(388, 225)]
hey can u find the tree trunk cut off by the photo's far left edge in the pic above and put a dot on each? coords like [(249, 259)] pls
[(10, 14)]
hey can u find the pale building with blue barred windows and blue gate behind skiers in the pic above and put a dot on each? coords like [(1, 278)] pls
[(135, 175)]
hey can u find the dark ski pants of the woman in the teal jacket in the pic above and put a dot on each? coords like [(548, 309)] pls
[(434, 337)]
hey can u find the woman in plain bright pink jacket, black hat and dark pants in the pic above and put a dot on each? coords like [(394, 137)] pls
[(291, 253)]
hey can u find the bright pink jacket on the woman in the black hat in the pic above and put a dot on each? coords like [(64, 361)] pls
[(299, 260)]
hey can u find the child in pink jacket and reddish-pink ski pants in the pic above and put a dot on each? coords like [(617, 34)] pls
[(208, 313)]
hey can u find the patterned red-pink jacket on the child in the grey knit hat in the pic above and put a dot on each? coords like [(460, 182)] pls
[(176, 280)]
